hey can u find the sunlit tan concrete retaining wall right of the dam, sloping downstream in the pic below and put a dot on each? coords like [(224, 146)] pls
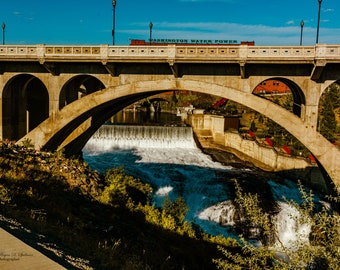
[(209, 130)]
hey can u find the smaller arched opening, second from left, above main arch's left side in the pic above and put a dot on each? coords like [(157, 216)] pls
[(78, 87)]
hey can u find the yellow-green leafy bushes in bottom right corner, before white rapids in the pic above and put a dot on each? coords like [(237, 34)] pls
[(323, 251)]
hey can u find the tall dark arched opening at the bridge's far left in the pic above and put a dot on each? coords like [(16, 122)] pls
[(25, 104)]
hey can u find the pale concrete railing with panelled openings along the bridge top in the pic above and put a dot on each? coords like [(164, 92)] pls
[(180, 52)]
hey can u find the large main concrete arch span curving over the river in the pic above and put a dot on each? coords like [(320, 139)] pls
[(74, 124)]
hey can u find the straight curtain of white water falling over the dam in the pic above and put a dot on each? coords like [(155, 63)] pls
[(109, 137)]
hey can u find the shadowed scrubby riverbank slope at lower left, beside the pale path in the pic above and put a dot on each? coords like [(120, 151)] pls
[(53, 204)]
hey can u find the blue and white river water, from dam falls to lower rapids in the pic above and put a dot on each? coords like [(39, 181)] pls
[(169, 160)]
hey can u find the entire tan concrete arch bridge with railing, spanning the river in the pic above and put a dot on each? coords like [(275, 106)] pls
[(57, 97)]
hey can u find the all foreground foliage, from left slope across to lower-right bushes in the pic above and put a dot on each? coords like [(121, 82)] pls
[(69, 204)]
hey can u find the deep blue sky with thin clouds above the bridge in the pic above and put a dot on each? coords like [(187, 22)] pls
[(270, 22)]
